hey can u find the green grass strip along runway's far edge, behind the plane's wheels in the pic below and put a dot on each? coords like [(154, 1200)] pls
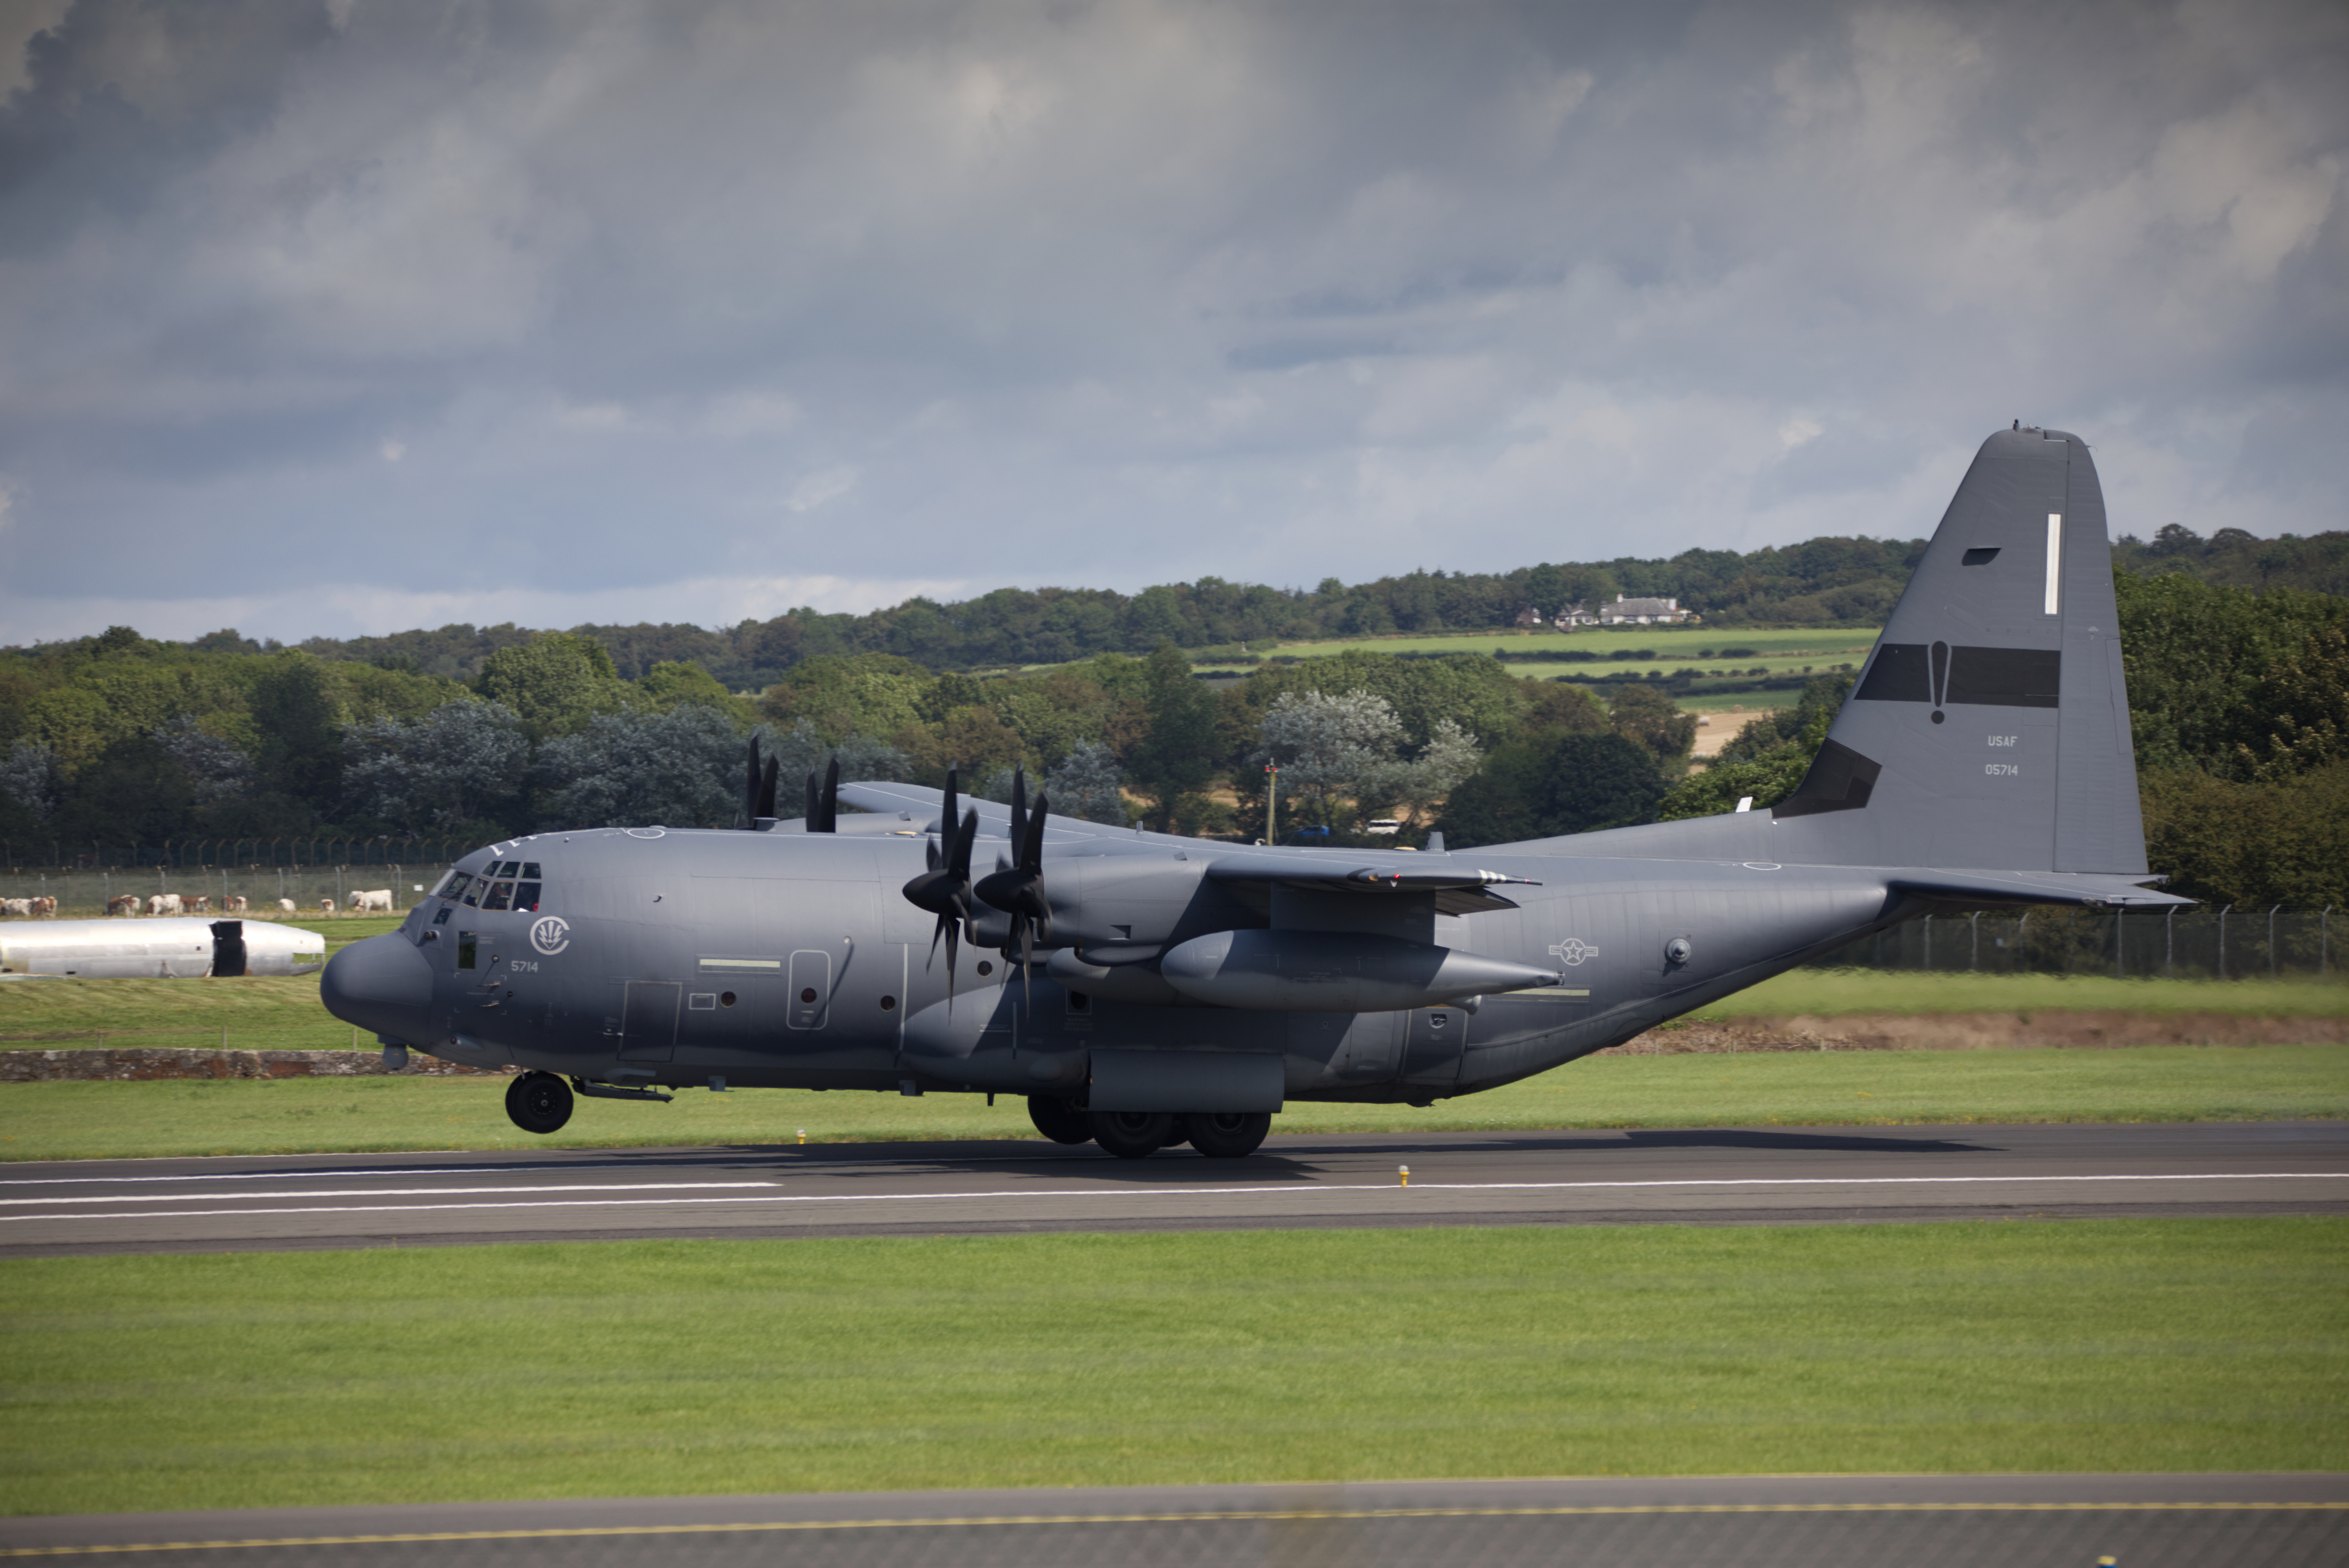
[(2247, 1083)]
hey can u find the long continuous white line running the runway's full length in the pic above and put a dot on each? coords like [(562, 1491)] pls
[(1260, 1191)]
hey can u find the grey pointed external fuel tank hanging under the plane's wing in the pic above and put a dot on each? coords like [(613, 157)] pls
[(1291, 971)]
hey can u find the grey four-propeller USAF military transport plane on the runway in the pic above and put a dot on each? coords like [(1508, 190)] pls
[(1145, 989)]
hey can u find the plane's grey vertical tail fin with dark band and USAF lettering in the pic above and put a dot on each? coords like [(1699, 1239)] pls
[(1991, 722)]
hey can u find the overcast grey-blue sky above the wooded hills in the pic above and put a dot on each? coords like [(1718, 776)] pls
[(351, 316)]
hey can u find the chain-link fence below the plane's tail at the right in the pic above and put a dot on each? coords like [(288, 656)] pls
[(2134, 945)]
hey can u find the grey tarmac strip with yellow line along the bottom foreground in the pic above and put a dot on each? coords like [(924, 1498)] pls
[(1826, 1522)]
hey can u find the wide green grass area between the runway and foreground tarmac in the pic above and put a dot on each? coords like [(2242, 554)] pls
[(1091, 1360)]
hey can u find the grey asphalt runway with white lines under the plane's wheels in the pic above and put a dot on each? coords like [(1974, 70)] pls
[(1721, 1177)]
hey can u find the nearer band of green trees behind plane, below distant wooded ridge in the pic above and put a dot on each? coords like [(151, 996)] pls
[(2240, 708)]
